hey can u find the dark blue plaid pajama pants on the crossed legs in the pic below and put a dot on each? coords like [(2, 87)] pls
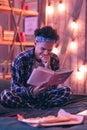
[(52, 97)]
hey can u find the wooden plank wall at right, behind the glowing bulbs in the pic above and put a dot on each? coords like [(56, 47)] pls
[(76, 58)]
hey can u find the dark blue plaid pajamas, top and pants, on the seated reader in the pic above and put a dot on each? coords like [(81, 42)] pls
[(21, 93)]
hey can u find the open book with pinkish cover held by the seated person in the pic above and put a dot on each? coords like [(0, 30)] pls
[(41, 74)]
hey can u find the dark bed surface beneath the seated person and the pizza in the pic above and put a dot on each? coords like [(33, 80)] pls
[(9, 121)]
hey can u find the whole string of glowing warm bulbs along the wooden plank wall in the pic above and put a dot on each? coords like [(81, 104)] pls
[(73, 26)]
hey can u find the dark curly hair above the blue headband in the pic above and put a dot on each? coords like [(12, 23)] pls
[(47, 32)]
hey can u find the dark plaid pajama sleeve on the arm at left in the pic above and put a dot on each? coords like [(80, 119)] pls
[(19, 78)]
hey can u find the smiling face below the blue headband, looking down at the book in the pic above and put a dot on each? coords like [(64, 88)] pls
[(43, 51)]
